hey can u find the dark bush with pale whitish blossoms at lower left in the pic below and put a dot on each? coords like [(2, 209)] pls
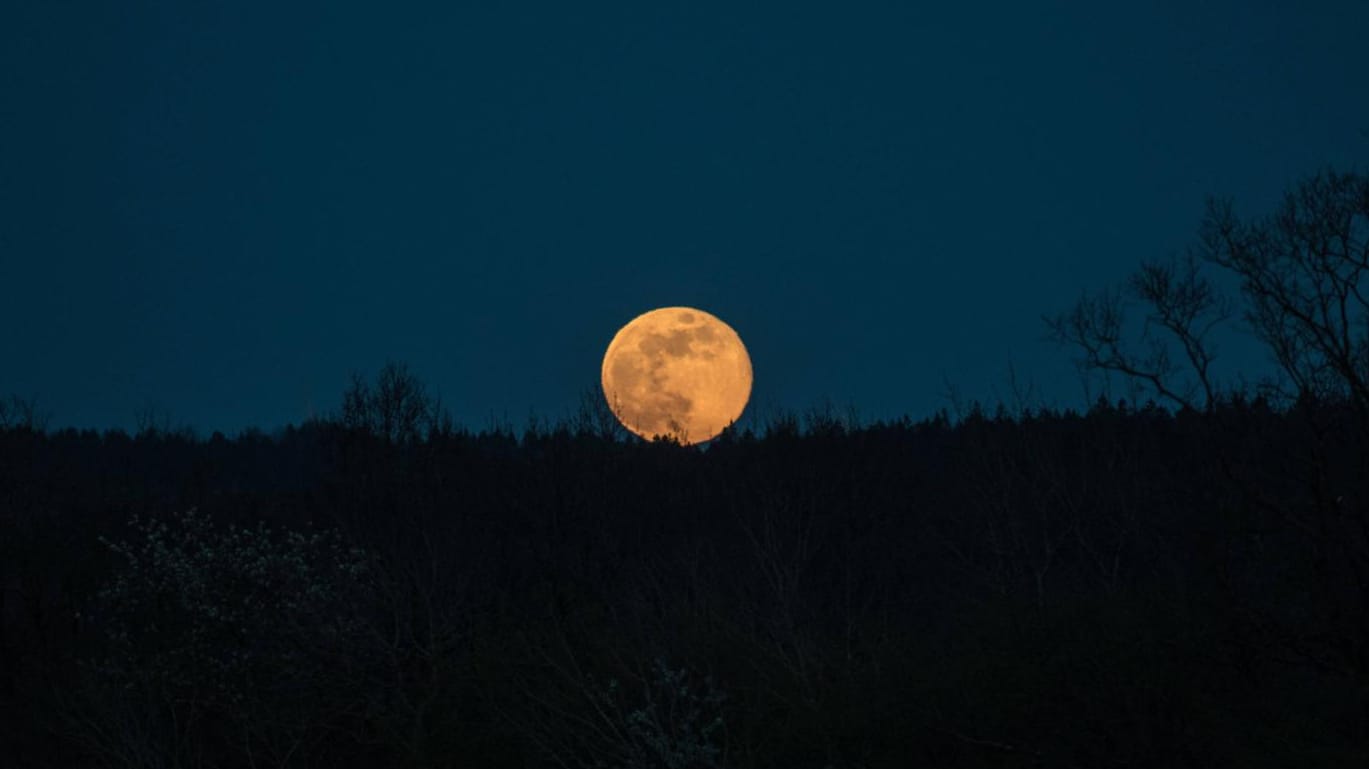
[(246, 636)]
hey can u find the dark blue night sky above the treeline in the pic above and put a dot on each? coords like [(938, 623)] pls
[(225, 209)]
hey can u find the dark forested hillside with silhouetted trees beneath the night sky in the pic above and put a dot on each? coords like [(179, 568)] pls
[(1179, 579)]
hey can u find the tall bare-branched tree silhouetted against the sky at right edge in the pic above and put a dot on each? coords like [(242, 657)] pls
[(1303, 288)]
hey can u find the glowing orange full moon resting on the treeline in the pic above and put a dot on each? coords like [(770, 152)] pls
[(677, 373)]
